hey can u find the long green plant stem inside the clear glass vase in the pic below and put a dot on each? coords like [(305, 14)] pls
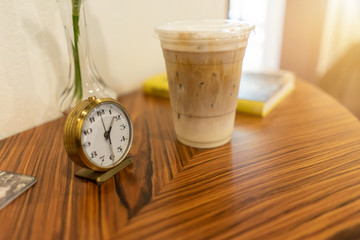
[(78, 93)]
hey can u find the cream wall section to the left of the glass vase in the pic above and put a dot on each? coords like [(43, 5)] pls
[(32, 63)]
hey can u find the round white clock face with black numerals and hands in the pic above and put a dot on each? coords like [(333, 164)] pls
[(106, 135)]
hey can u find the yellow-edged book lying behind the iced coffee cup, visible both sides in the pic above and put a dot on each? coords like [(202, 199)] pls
[(260, 91)]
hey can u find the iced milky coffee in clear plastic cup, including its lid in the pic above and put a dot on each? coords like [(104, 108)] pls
[(203, 62)]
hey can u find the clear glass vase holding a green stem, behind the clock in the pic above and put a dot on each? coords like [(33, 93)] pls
[(83, 78)]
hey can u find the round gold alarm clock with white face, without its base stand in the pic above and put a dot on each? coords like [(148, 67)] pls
[(98, 134)]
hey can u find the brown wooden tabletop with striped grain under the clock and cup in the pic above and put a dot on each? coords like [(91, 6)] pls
[(294, 174)]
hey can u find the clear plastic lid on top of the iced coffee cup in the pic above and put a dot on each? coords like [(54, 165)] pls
[(208, 29)]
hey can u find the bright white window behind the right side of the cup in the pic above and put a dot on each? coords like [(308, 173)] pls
[(264, 47)]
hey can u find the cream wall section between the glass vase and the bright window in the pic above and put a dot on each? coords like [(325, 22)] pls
[(131, 52)]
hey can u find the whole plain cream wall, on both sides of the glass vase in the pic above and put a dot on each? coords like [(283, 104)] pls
[(33, 53)]
